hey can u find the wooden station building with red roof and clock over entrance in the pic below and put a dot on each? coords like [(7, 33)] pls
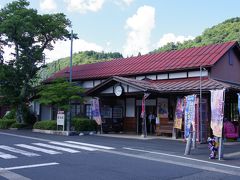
[(120, 85)]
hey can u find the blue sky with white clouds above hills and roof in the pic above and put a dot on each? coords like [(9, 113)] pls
[(133, 26)]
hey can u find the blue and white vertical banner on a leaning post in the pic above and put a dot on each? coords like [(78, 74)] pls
[(189, 114)]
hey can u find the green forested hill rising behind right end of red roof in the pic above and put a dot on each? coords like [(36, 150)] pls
[(228, 30)]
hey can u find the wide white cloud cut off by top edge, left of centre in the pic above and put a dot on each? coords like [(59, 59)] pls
[(82, 6)]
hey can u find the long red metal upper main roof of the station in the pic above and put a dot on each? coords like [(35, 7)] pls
[(151, 63)]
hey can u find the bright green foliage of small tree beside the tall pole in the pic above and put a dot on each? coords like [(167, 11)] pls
[(59, 92)]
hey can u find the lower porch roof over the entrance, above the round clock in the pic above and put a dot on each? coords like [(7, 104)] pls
[(169, 86)]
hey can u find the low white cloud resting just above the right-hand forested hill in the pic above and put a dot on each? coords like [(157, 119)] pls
[(170, 37)]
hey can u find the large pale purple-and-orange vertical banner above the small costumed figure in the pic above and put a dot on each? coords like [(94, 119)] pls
[(217, 105)]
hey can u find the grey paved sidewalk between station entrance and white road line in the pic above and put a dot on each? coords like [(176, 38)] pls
[(231, 150)]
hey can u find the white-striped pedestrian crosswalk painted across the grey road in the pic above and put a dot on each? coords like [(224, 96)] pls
[(51, 148)]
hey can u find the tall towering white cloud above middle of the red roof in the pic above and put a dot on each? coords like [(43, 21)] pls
[(140, 26)]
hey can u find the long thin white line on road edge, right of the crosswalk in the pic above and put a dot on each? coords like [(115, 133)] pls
[(176, 156)]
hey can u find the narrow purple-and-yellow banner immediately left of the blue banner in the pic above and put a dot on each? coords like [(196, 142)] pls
[(178, 114)]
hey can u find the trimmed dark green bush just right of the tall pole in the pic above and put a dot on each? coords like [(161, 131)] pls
[(84, 124)]
